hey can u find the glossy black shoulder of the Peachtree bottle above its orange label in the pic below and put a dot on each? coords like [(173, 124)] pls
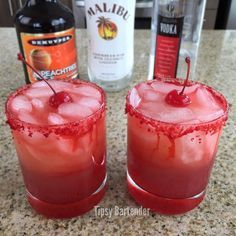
[(47, 19)]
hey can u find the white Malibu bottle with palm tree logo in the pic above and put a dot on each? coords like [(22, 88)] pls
[(110, 28)]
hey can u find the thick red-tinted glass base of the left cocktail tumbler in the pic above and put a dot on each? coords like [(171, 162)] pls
[(67, 210)]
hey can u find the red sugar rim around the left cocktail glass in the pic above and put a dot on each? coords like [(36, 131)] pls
[(74, 128)]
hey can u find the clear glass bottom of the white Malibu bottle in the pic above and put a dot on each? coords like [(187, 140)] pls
[(111, 86)]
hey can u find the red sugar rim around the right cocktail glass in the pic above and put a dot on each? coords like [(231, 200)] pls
[(175, 130)]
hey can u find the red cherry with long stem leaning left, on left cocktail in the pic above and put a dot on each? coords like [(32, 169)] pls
[(57, 98)]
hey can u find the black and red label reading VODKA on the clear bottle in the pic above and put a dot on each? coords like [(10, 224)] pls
[(168, 40)]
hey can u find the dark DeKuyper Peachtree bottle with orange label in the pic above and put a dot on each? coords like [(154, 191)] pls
[(46, 36)]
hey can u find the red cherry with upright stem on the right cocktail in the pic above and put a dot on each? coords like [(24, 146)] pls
[(179, 98)]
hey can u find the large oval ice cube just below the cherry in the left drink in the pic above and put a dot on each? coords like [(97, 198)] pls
[(74, 111)]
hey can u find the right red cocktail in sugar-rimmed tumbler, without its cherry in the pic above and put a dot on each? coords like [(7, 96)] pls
[(171, 149)]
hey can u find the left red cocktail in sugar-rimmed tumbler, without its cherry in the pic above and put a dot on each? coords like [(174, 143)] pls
[(62, 149)]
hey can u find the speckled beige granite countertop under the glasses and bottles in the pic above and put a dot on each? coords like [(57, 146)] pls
[(214, 216)]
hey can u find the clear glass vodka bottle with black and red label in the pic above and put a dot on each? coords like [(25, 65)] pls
[(176, 30)]
